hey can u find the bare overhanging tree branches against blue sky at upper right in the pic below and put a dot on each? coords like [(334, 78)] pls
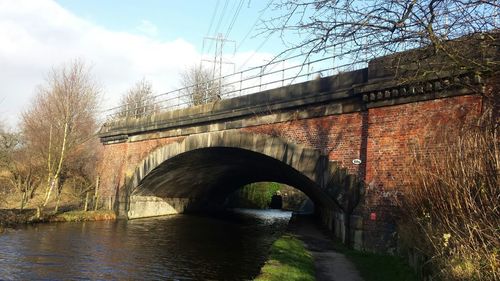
[(356, 31)]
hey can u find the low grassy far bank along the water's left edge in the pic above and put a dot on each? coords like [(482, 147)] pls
[(10, 218)]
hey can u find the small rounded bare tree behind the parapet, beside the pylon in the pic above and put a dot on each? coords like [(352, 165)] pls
[(200, 86)]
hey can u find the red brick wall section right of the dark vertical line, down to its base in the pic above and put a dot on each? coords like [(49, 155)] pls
[(392, 132)]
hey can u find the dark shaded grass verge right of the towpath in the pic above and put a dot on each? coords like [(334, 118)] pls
[(378, 267)]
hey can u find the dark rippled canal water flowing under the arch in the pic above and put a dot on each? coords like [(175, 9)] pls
[(232, 246)]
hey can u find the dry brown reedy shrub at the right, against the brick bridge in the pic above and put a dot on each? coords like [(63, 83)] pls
[(451, 212)]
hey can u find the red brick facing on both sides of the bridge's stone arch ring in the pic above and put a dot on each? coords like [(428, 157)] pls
[(382, 137)]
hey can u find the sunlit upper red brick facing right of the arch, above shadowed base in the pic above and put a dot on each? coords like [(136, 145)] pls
[(389, 131)]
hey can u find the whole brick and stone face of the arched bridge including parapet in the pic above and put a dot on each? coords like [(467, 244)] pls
[(371, 114)]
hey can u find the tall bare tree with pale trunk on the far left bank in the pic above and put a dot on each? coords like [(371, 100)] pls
[(60, 120)]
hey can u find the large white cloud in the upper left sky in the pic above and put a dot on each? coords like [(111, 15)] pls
[(39, 35)]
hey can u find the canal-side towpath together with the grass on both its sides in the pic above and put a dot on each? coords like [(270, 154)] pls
[(331, 259)]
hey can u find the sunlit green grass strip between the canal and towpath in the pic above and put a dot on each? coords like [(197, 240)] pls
[(288, 260)]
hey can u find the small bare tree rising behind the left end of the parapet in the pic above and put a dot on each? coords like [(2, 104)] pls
[(138, 101)]
